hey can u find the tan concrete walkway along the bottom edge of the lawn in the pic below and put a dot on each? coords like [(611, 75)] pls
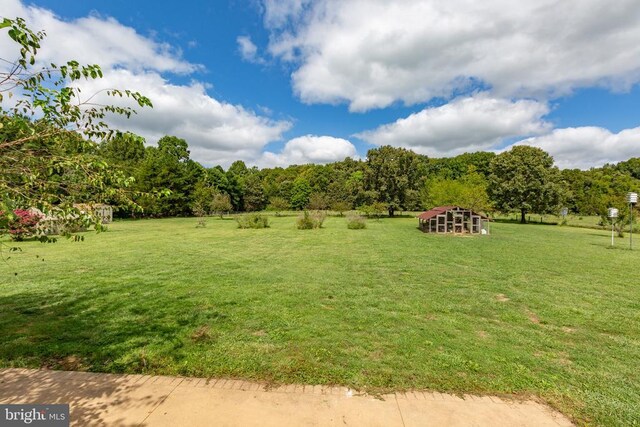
[(140, 400)]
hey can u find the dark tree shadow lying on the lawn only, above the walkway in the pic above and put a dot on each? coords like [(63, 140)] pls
[(88, 331)]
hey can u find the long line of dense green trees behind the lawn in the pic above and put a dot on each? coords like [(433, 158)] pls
[(523, 179)]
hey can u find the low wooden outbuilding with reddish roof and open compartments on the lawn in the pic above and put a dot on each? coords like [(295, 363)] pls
[(453, 219)]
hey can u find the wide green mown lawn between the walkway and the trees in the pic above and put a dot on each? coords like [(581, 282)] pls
[(530, 310)]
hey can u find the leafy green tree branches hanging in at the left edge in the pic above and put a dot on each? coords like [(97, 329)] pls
[(49, 133)]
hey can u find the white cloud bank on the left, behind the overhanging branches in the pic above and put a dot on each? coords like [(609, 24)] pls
[(217, 132)]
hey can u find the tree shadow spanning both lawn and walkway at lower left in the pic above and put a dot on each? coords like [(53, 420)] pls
[(65, 331)]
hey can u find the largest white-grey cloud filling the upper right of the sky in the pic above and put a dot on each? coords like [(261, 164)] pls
[(371, 53)]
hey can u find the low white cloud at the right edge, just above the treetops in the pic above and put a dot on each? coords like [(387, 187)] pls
[(585, 147)]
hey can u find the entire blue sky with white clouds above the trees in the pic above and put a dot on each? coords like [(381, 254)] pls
[(280, 82)]
